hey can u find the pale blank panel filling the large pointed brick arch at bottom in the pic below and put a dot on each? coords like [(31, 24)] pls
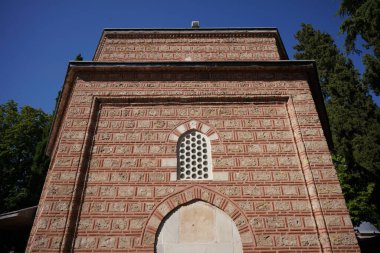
[(198, 227)]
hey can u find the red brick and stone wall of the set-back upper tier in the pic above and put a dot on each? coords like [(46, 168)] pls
[(245, 46)]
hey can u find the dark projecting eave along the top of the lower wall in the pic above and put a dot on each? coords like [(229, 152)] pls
[(211, 69)]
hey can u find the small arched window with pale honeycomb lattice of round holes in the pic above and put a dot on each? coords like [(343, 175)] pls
[(194, 156)]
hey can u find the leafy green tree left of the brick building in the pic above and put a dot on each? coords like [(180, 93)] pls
[(22, 161)]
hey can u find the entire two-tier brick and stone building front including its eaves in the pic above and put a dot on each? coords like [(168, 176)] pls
[(113, 178)]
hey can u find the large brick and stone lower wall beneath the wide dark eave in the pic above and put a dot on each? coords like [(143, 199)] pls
[(266, 142)]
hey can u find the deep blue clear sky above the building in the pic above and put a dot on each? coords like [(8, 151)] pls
[(39, 38)]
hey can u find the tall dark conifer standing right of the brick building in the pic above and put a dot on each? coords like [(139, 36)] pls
[(354, 121)]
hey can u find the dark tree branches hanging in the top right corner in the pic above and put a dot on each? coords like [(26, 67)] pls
[(363, 19)]
